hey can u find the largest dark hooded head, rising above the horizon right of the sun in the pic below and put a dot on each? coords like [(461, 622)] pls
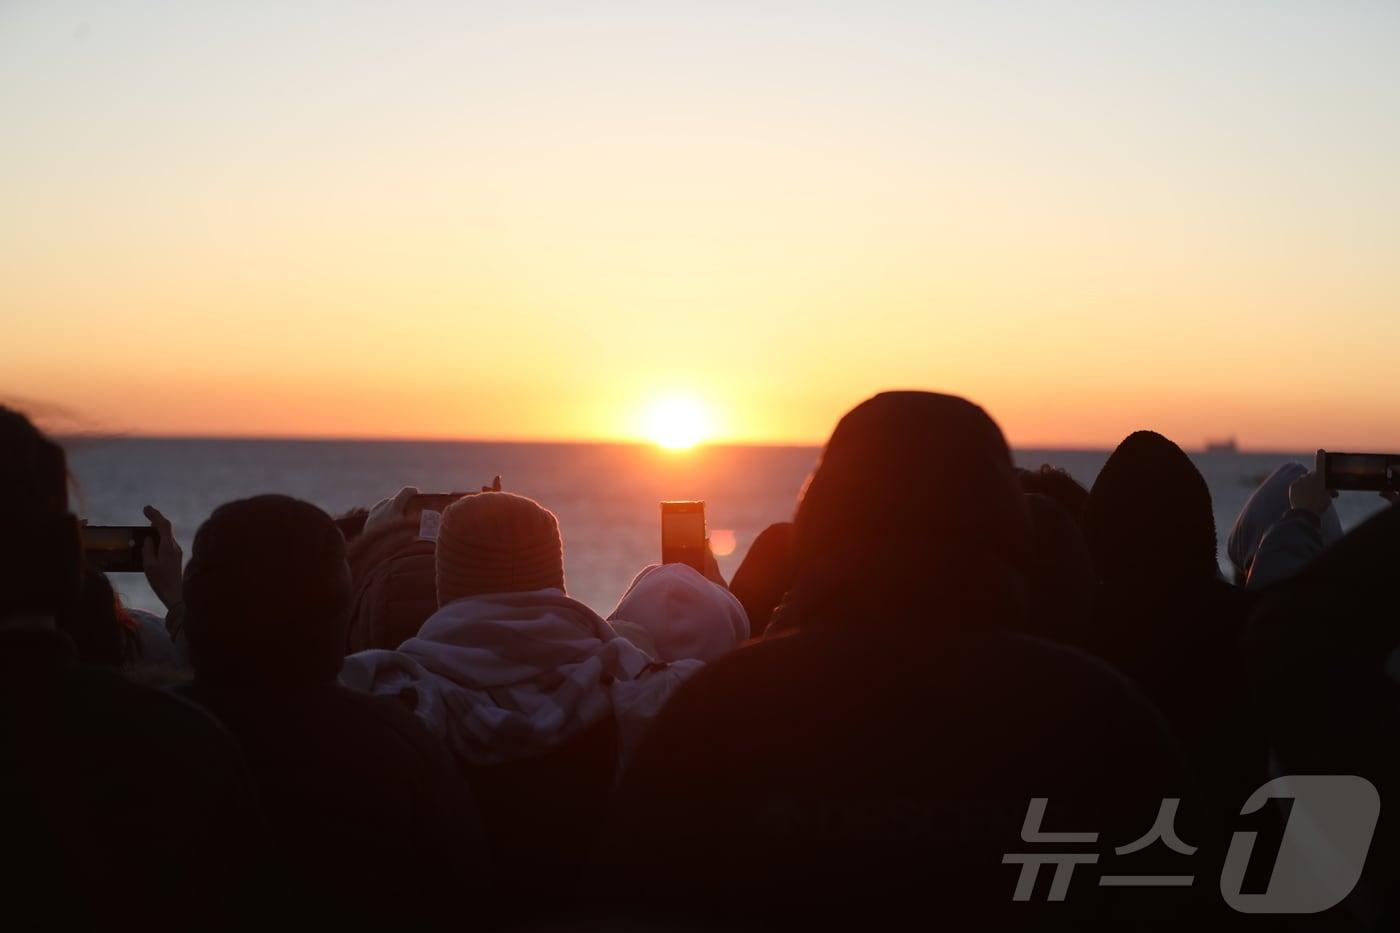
[(915, 506)]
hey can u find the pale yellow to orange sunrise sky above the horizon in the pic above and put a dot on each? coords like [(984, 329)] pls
[(544, 221)]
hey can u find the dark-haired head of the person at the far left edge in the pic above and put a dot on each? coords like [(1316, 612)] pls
[(40, 550)]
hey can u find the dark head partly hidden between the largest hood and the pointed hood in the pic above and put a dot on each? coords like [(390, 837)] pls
[(1062, 576)]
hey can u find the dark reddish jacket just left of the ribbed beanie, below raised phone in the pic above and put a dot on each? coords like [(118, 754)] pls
[(395, 586)]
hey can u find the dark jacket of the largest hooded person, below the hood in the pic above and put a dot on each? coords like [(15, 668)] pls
[(870, 777)]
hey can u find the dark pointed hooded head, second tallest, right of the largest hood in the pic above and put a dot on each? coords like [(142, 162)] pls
[(1150, 518)]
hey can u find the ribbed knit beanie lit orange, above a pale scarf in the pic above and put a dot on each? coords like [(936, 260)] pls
[(498, 543)]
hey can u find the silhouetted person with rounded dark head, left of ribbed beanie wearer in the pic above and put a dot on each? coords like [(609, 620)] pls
[(363, 799)]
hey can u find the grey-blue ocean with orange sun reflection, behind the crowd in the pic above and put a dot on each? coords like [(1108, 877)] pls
[(605, 495)]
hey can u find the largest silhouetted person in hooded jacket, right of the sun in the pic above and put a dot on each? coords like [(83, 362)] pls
[(876, 766)]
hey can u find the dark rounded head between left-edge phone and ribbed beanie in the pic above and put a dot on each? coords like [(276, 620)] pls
[(267, 595)]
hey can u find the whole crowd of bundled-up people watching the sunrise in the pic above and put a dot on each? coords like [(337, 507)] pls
[(940, 665)]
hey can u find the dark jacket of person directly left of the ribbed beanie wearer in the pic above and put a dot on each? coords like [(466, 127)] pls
[(363, 801)]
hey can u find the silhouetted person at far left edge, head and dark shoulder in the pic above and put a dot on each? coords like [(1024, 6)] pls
[(124, 808)]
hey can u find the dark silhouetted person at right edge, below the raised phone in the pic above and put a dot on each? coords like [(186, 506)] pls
[(1325, 663)]
